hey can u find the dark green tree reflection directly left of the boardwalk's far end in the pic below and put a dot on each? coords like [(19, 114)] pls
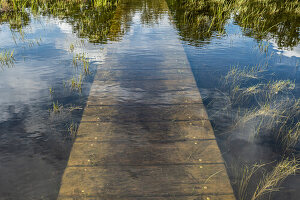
[(87, 21)]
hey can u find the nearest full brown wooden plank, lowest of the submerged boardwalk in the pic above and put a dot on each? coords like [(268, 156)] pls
[(126, 181)]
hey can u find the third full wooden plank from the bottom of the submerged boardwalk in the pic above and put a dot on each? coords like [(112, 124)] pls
[(150, 131)]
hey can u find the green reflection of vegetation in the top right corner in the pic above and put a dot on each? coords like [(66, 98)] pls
[(267, 19)]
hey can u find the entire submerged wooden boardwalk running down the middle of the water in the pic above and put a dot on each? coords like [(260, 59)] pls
[(145, 133)]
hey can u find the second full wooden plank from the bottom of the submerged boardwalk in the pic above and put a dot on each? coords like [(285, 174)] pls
[(145, 153)]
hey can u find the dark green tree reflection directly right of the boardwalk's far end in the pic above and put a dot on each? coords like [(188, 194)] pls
[(197, 21)]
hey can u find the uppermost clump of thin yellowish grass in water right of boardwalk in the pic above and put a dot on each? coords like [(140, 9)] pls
[(247, 86)]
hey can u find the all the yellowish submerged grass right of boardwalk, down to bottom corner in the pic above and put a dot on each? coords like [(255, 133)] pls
[(271, 112)]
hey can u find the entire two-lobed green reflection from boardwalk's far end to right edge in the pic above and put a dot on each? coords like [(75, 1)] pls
[(198, 20)]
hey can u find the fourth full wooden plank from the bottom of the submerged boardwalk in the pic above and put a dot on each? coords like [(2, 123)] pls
[(145, 113)]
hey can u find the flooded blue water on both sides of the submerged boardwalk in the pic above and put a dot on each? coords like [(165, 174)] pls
[(57, 52)]
